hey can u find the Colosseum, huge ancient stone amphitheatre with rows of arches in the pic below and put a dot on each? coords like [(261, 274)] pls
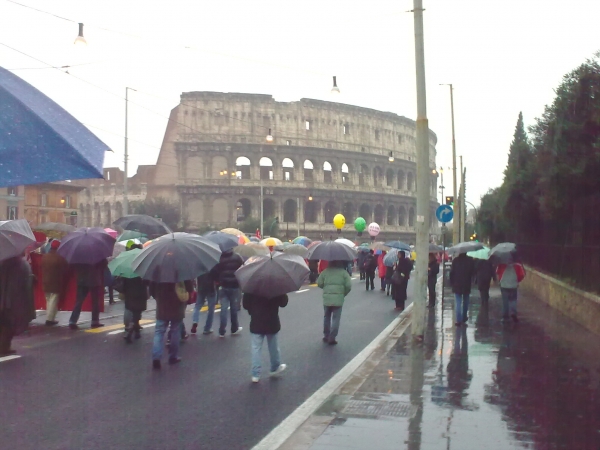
[(310, 159)]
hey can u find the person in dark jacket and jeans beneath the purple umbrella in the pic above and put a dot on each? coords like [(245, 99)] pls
[(90, 280)]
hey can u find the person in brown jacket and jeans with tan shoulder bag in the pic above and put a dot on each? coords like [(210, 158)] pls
[(169, 311)]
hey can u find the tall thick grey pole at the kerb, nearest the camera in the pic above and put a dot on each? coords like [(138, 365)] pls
[(422, 146)]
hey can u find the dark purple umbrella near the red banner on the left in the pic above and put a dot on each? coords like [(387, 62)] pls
[(86, 246)]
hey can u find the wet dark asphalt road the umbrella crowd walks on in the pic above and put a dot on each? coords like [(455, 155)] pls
[(76, 390)]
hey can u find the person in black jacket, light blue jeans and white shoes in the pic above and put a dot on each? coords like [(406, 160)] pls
[(264, 323)]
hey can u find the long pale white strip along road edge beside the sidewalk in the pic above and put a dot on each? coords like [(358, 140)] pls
[(285, 429)]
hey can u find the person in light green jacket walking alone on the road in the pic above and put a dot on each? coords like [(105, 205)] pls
[(336, 284)]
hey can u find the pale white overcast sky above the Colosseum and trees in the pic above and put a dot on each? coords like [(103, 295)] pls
[(503, 56)]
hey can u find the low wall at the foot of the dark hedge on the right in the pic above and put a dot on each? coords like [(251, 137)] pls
[(578, 305)]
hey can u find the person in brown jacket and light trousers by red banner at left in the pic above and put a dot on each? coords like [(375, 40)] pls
[(54, 269)]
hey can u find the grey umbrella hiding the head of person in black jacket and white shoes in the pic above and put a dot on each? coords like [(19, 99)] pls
[(273, 275)]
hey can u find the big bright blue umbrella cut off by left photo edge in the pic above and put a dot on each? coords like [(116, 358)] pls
[(41, 142)]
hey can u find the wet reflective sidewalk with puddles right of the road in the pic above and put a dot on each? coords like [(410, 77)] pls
[(535, 384)]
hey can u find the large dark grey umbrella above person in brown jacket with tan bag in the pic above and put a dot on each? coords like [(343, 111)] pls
[(176, 257)]
